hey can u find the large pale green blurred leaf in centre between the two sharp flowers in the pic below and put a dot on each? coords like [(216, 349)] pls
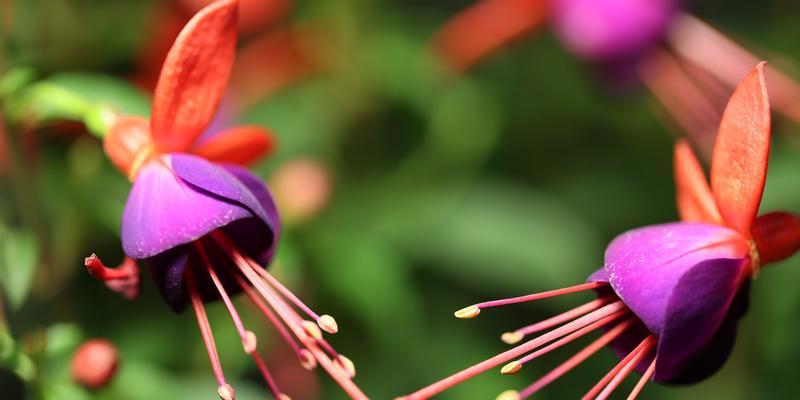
[(497, 235)]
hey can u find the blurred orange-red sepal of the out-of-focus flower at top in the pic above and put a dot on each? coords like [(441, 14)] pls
[(485, 27)]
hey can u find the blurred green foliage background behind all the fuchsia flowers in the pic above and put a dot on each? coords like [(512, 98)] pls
[(446, 191)]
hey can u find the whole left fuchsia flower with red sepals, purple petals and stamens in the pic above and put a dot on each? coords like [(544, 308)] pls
[(204, 226)]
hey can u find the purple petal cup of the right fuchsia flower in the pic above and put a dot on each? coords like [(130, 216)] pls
[(680, 280)]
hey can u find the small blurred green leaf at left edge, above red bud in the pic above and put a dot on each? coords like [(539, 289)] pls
[(19, 255)]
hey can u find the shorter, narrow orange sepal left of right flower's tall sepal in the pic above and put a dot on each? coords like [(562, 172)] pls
[(694, 198)]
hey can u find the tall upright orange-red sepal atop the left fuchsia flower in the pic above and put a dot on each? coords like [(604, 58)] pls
[(194, 77)]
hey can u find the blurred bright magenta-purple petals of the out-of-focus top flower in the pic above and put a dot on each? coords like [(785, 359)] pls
[(608, 30)]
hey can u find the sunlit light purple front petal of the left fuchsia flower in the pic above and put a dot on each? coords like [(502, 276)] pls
[(164, 211)]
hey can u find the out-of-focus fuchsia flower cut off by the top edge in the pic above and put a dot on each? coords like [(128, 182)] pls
[(688, 65)]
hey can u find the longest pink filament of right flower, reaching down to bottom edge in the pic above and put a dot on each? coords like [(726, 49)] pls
[(509, 355)]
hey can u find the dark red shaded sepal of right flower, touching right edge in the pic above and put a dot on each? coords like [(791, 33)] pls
[(777, 236)]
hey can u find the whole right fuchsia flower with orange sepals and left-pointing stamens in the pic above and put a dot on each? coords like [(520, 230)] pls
[(670, 295)]
